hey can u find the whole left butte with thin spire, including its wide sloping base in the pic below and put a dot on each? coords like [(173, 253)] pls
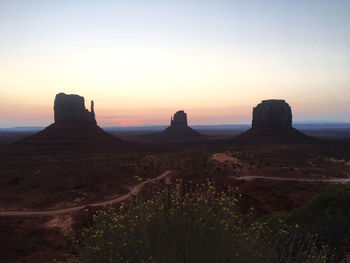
[(74, 125)]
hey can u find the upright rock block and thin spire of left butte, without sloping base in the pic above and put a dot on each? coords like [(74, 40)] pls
[(70, 109)]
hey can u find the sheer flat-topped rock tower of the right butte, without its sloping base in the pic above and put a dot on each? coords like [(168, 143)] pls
[(272, 113)]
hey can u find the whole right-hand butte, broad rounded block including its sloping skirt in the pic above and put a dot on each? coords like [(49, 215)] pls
[(272, 122)]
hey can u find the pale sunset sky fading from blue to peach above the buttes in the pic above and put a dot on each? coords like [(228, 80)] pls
[(141, 61)]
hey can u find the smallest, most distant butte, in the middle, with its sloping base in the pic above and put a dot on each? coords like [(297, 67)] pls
[(179, 128)]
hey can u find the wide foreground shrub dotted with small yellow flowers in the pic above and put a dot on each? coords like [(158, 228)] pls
[(187, 223)]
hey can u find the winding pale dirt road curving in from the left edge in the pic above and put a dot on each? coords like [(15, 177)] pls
[(119, 199)]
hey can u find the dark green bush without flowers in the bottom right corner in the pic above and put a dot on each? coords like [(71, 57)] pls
[(326, 215)]
